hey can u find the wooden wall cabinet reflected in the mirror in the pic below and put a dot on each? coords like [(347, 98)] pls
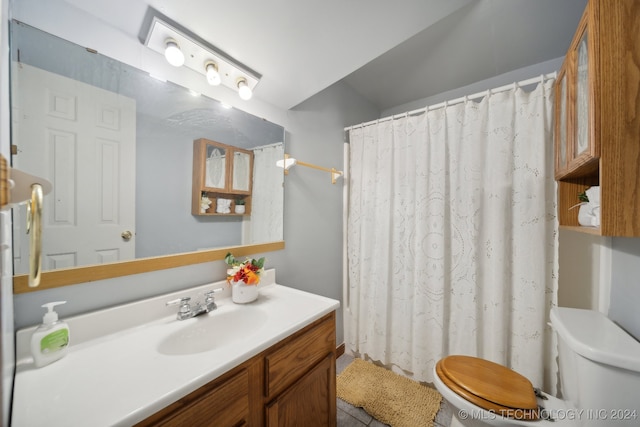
[(221, 171)]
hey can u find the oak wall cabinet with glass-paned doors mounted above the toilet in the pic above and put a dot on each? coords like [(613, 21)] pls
[(597, 118)]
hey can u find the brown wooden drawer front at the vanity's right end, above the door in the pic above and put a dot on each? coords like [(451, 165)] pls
[(297, 355)]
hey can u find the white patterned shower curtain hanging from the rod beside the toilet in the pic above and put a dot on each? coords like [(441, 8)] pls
[(452, 235)]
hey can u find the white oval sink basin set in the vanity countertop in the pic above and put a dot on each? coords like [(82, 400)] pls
[(214, 330)]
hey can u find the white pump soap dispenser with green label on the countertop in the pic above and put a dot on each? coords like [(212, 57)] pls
[(50, 340)]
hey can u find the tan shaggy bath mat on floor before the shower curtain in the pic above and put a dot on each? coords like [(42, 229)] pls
[(388, 397)]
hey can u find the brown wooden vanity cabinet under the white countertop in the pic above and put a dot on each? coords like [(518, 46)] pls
[(293, 383)]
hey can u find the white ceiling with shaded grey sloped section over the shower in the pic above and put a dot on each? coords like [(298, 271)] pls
[(391, 52)]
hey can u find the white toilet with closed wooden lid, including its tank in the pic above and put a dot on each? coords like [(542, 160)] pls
[(599, 366)]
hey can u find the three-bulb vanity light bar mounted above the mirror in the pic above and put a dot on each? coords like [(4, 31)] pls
[(169, 38)]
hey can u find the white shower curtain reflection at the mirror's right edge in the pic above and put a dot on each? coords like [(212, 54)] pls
[(267, 205)]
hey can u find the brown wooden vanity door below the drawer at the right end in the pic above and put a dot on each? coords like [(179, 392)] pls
[(310, 402)]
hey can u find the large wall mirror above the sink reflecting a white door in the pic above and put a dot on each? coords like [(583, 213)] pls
[(125, 161)]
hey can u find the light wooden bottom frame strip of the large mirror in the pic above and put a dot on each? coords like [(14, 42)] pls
[(76, 275)]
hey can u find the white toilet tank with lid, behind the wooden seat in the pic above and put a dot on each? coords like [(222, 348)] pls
[(599, 367)]
